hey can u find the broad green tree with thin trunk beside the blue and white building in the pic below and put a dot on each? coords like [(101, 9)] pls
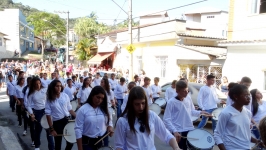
[(48, 26)]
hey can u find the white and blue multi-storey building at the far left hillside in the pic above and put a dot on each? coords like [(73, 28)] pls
[(14, 24)]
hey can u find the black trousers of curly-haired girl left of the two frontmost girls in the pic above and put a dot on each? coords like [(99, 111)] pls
[(59, 127)]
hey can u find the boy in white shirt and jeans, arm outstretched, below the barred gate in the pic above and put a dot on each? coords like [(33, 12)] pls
[(207, 100)]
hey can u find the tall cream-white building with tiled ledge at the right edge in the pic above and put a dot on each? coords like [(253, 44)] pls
[(246, 42)]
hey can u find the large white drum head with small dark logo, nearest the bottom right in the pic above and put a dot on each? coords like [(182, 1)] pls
[(202, 139)]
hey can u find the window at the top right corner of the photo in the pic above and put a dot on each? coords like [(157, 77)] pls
[(258, 6)]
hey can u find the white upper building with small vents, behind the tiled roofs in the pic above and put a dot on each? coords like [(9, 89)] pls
[(213, 21)]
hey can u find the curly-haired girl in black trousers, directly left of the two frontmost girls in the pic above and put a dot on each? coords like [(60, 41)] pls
[(59, 108)]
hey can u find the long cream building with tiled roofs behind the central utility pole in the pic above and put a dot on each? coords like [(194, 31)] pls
[(166, 49)]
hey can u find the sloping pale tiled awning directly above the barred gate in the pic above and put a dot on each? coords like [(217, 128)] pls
[(218, 52)]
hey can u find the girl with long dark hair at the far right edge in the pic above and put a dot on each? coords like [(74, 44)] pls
[(258, 110)]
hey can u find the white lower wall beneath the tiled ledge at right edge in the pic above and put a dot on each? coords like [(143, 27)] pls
[(246, 61)]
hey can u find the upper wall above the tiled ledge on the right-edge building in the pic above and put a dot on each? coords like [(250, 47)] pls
[(243, 24)]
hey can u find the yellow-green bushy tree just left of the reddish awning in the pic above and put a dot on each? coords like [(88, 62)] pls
[(86, 49)]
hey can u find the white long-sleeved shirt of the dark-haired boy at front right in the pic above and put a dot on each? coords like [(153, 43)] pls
[(233, 129)]
